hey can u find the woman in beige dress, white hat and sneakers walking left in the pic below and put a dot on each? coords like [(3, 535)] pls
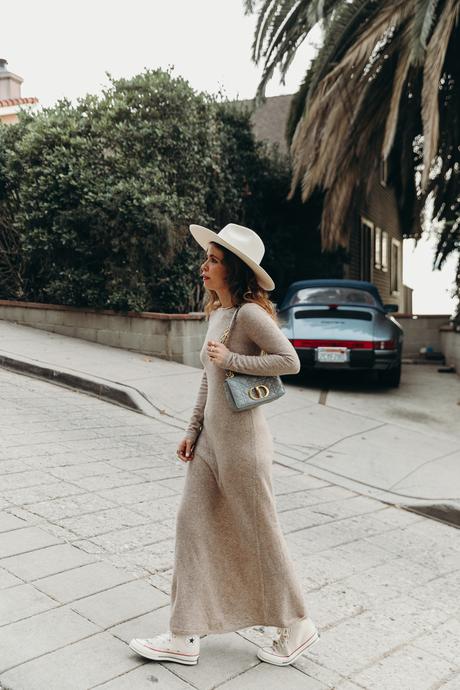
[(232, 569)]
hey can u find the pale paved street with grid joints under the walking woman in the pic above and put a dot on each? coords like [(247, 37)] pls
[(88, 494)]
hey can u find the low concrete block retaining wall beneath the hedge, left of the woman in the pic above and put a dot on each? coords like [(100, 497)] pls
[(177, 337)]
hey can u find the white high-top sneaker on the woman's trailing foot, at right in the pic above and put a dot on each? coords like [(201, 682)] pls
[(291, 643)]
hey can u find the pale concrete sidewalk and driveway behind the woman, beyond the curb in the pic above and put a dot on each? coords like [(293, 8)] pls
[(402, 446)]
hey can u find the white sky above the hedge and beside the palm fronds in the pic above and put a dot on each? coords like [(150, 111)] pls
[(64, 49)]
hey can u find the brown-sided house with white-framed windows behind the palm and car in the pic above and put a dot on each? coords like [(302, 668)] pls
[(375, 242)]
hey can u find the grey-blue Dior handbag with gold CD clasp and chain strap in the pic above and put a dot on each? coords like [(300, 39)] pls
[(244, 391)]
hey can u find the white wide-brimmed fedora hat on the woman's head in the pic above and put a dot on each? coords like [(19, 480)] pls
[(243, 242)]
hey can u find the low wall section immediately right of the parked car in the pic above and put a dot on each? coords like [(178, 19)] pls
[(421, 330)]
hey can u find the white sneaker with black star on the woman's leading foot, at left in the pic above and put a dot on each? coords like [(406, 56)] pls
[(185, 649)]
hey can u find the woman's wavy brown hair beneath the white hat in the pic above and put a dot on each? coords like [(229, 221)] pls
[(242, 284)]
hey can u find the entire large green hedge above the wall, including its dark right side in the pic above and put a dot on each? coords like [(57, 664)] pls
[(96, 198)]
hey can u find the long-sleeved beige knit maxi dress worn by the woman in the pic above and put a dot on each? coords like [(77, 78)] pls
[(232, 568)]
